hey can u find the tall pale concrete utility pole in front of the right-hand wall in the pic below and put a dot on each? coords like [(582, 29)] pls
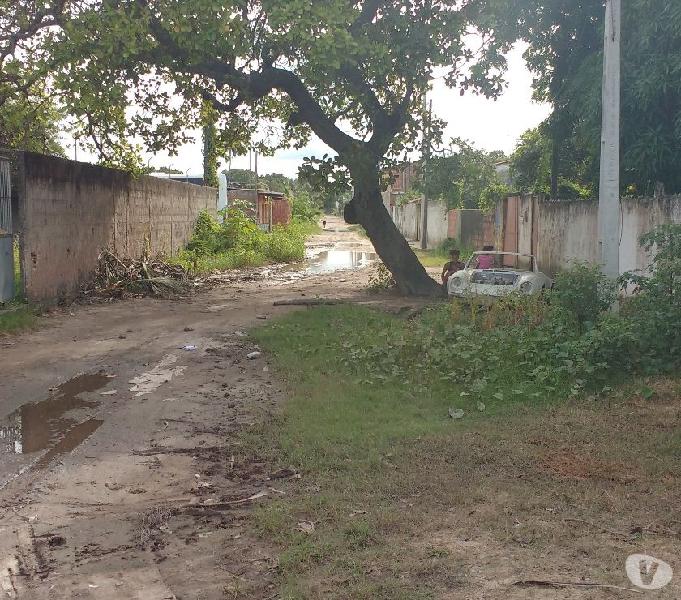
[(609, 191)]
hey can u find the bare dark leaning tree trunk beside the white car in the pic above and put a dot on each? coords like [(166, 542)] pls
[(367, 208)]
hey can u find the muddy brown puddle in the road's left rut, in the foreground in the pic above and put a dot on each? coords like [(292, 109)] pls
[(38, 426)]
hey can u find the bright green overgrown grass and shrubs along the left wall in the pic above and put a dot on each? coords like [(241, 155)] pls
[(237, 242)]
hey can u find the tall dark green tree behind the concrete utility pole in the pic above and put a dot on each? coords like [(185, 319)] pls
[(565, 40)]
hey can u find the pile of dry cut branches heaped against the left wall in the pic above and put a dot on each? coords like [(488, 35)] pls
[(117, 277)]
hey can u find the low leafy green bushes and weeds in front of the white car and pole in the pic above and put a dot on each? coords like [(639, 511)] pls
[(526, 347)]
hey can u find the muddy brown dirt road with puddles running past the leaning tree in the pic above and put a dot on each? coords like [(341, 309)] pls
[(117, 463)]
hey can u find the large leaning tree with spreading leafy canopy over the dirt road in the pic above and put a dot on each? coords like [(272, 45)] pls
[(354, 72)]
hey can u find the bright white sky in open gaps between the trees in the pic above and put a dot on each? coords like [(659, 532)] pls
[(489, 124)]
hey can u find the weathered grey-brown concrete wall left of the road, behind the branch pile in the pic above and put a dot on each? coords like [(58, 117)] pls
[(70, 211)]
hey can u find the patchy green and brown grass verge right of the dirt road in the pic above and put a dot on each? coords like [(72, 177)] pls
[(399, 501)]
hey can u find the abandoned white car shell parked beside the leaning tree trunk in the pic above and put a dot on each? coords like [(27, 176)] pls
[(494, 274)]
